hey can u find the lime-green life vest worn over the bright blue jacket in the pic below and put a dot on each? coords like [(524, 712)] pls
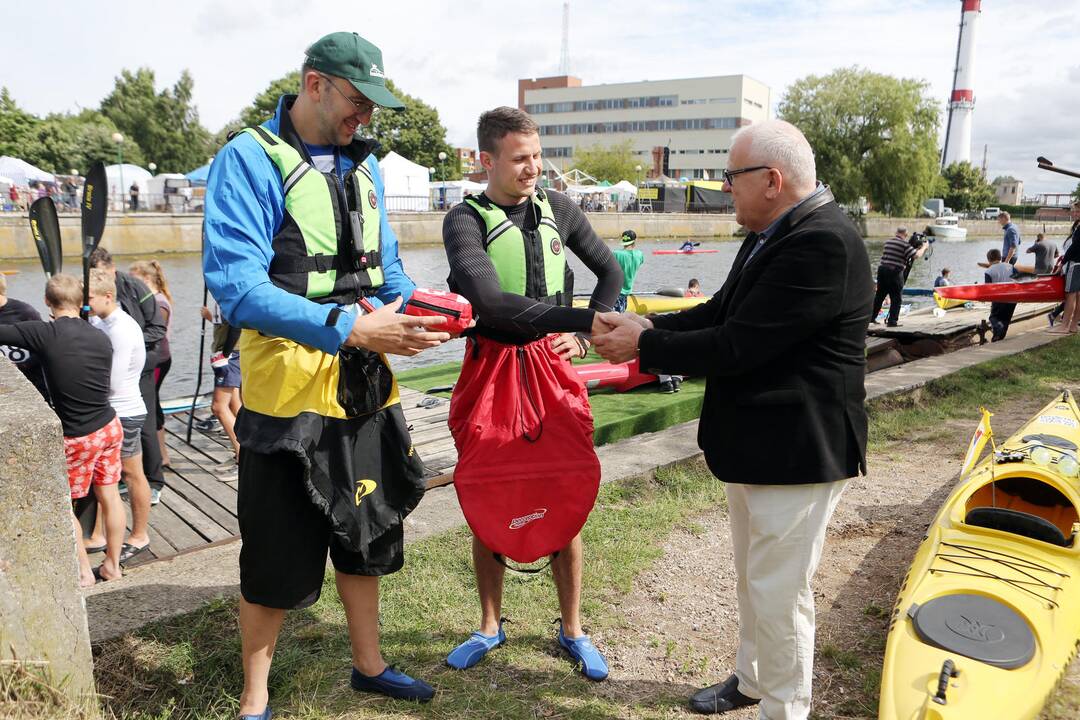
[(316, 253)]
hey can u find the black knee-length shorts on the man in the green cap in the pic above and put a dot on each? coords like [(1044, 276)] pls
[(286, 537)]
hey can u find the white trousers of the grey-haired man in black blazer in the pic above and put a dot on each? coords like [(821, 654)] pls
[(777, 535)]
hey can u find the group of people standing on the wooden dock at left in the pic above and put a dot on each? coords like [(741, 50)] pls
[(106, 397)]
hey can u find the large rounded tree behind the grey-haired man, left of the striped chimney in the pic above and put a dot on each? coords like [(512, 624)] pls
[(873, 135)]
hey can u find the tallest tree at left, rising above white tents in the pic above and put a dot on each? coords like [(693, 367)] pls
[(165, 126)]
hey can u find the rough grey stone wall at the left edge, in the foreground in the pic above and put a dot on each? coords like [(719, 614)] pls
[(43, 612)]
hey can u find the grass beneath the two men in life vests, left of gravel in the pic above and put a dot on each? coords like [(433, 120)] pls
[(190, 667)]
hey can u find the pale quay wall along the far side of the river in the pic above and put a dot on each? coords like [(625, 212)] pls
[(161, 234)]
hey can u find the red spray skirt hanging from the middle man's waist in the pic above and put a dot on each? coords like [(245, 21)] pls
[(528, 474)]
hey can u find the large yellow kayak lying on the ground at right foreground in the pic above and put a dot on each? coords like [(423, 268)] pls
[(989, 617)]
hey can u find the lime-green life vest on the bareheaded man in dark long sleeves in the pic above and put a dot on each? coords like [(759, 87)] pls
[(532, 263)]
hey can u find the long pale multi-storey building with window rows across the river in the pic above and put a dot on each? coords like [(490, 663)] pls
[(694, 119)]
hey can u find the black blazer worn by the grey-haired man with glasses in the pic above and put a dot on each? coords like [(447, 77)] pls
[(782, 347)]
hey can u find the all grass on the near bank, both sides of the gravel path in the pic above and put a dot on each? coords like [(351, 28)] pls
[(190, 667)]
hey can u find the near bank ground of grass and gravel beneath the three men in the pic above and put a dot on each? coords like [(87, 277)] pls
[(652, 602)]
